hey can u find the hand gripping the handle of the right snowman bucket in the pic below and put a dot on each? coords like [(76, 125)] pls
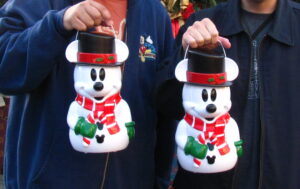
[(203, 34)]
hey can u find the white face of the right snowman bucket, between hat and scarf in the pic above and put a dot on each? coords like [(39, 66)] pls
[(206, 102)]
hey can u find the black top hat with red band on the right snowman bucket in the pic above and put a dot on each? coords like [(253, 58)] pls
[(206, 67)]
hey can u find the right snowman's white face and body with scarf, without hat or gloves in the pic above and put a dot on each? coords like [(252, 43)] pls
[(221, 152)]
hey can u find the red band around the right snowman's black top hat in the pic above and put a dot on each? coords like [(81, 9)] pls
[(207, 79)]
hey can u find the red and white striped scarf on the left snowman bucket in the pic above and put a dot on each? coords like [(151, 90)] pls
[(104, 111)]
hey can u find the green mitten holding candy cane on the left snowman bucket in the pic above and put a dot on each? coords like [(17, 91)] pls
[(84, 128)]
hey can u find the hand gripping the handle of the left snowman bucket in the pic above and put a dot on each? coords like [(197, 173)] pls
[(85, 15)]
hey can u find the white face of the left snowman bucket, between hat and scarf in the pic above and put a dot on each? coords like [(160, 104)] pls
[(97, 82)]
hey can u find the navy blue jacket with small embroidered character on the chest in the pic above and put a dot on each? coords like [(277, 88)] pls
[(34, 70)]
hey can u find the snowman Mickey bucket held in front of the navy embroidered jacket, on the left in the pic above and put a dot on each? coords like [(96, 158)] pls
[(99, 119)]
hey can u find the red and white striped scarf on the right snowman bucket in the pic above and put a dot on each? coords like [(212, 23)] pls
[(214, 132)]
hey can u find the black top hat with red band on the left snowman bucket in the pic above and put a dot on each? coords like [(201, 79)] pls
[(98, 49)]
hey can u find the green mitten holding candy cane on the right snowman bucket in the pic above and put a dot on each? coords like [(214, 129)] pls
[(192, 147)]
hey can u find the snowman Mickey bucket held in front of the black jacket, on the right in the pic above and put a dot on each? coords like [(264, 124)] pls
[(207, 138)]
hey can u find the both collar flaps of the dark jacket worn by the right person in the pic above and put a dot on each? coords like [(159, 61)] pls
[(281, 29)]
